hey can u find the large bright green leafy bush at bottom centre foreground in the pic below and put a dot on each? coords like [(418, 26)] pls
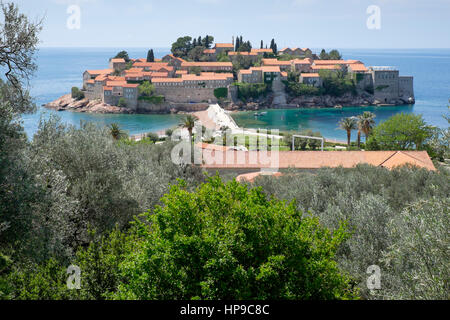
[(224, 241)]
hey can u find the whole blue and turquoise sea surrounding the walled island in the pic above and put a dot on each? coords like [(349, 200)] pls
[(60, 69)]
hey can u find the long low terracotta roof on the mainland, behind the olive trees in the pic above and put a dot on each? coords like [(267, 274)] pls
[(316, 159)]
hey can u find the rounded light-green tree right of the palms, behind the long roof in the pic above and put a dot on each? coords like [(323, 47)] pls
[(404, 131)]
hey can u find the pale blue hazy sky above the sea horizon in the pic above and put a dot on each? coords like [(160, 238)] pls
[(293, 23)]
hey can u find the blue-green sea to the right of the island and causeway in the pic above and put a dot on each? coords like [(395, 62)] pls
[(431, 71)]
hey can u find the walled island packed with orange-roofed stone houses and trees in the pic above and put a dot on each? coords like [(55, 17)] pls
[(236, 76)]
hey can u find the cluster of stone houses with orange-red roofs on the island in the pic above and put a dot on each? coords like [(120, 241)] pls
[(186, 82)]
